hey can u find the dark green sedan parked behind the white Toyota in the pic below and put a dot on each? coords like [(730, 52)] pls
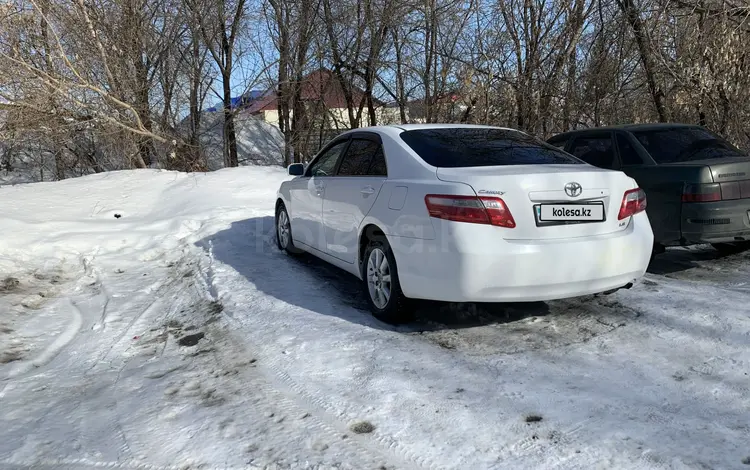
[(697, 184)]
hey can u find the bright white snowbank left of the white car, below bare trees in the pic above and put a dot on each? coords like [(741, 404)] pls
[(128, 212)]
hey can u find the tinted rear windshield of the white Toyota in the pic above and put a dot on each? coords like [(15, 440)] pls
[(471, 147)]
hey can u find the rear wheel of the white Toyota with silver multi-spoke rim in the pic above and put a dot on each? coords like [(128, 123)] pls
[(381, 284)]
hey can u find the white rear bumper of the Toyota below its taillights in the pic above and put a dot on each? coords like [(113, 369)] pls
[(473, 263)]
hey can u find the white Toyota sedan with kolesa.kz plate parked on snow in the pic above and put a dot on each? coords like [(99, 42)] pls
[(464, 213)]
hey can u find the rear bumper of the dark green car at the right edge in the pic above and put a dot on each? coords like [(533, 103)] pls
[(716, 222)]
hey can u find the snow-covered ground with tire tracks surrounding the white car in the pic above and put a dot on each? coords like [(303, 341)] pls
[(148, 321)]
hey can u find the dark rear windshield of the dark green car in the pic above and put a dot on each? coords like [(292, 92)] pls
[(685, 144)]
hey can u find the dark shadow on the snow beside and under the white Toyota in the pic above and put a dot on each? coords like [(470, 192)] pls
[(249, 247)]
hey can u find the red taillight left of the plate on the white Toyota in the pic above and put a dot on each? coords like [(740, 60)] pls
[(472, 209)]
